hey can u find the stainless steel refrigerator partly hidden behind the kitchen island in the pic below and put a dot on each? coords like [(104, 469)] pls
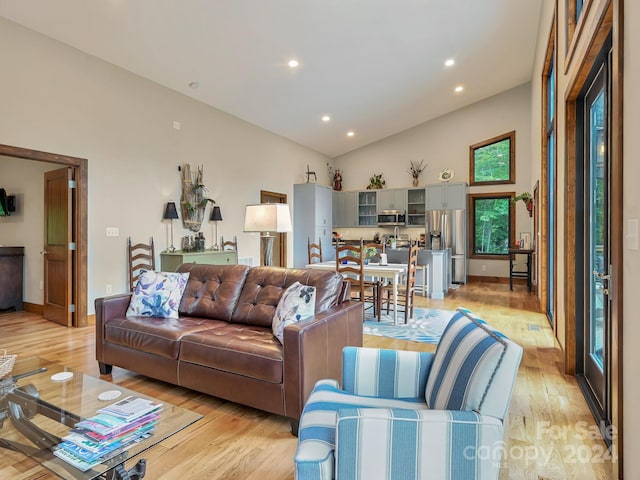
[(447, 229)]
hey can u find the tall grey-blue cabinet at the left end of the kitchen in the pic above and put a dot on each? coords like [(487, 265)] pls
[(312, 220)]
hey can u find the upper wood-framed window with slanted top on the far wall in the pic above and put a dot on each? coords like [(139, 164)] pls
[(493, 161)]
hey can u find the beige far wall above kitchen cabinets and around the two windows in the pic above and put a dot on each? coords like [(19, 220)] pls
[(444, 143)]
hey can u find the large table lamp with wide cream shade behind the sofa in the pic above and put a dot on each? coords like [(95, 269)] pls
[(267, 218)]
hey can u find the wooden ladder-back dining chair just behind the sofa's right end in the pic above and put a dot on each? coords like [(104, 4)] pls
[(350, 264)]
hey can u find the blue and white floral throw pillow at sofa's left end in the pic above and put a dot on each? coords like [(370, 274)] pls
[(158, 294)]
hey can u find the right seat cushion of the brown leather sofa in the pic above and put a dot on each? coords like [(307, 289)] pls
[(239, 349)]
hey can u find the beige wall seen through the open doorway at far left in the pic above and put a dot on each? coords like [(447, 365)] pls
[(25, 227)]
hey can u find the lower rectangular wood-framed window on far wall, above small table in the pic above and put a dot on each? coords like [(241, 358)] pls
[(492, 218)]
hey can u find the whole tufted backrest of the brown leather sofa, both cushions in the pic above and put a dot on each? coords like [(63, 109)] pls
[(250, 295)]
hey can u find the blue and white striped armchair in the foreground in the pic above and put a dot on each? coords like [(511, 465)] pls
[(412, 415)]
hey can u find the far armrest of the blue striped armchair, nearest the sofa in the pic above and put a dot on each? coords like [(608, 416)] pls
[(375, 372)]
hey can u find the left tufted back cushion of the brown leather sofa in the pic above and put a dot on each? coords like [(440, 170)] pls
[(212, 290)]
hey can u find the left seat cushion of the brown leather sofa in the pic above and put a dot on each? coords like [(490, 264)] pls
[(158, 336)]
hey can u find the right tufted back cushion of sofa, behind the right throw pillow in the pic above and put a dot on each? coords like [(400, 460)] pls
[(265, 285)]
